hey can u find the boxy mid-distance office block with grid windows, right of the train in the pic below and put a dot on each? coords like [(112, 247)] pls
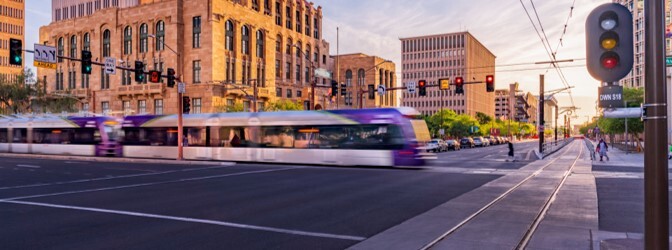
[(434, 57)]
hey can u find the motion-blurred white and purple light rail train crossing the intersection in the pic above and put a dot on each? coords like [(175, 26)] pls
[(369, 137)]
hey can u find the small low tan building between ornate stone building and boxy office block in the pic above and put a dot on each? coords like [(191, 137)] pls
[(360, 72)]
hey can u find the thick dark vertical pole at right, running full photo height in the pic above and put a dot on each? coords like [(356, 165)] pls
[(656, 208)]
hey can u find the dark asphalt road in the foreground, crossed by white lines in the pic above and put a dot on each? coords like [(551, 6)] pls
[(74, 205)]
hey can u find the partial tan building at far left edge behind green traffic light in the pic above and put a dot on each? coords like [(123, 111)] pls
[(12, 23)]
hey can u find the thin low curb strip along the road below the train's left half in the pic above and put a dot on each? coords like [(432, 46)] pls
[(116, 160)]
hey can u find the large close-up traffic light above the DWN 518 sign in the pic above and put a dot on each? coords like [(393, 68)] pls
[(609, 47)]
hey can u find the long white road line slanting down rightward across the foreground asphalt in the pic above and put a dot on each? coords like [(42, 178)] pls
[(193, 220)]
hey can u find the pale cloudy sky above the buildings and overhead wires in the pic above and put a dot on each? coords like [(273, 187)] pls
[(374, 27)]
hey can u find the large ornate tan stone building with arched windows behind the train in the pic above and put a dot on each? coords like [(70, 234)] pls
[(221, 49)]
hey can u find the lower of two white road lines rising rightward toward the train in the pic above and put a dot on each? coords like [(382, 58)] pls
[(145, 184)]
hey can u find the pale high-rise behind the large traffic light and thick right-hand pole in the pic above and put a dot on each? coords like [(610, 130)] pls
[(635, 78)]
